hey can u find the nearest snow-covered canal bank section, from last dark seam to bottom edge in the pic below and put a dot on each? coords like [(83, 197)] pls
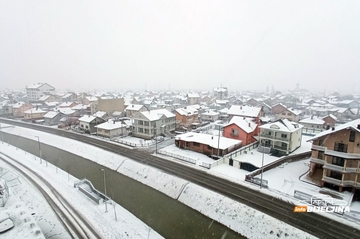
[(238, 217)]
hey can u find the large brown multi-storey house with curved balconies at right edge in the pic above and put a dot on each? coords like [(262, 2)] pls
[(335, 157)]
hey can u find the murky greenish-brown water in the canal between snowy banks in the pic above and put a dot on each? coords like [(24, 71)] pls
[(167, 216)]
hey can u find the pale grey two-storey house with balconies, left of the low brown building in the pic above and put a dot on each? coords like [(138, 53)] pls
[(148, 124)]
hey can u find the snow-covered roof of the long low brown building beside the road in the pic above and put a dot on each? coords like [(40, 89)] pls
[(212, 141)]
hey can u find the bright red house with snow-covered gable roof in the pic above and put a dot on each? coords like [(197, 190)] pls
[(241, 129)]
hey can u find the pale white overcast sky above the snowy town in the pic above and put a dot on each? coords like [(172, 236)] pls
[(162, 45)]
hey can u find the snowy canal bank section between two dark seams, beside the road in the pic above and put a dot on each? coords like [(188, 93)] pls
[(154, 178)]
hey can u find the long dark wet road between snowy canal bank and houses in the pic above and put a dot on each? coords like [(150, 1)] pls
[(312, 223)]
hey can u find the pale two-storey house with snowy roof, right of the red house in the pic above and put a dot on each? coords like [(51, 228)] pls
[(282, 136)]
